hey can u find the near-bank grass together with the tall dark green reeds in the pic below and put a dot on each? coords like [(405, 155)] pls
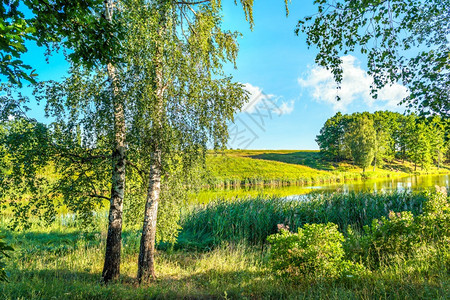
[(64, 262)]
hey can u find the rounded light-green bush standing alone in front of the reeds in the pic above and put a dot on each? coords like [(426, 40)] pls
[(316, 251)]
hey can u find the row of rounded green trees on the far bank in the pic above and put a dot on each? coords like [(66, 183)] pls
[(371, 139)]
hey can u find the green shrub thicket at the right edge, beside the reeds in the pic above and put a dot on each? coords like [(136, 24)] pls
[(402, 235)]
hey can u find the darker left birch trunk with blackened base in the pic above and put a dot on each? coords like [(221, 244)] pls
[(111, 268)]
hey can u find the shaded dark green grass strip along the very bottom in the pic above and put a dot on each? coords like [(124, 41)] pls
[(211, 284)]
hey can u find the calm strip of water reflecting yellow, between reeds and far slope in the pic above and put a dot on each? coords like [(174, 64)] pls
[(410, 183)]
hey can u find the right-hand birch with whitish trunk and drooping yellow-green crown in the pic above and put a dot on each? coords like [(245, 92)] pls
[(183, 99)]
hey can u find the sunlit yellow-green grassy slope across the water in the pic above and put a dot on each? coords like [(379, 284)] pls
[(238, 167)]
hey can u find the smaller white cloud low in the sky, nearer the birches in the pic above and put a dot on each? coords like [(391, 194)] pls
[(258, 100)]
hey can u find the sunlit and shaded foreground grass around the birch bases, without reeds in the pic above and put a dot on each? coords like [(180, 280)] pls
[(229, 271)]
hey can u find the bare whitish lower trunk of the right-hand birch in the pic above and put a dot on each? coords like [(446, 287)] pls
[(146, 264)]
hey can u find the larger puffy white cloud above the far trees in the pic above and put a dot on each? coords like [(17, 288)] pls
[(355, 86)]
